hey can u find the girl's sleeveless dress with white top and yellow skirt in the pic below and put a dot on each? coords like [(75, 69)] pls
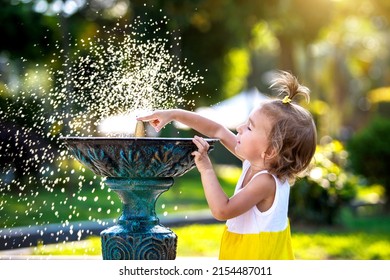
[(257, 235)]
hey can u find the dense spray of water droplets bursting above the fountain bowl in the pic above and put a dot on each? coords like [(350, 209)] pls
[(118, 78)]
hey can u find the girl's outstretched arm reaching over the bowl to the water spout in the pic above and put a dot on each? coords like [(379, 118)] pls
[(158, 119)]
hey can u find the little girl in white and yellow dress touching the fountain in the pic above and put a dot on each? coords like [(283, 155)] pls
[(275, 144)]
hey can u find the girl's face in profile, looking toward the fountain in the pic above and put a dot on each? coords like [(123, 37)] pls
[(252, 137)]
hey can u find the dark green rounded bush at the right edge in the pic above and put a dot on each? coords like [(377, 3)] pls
[(369, 153)]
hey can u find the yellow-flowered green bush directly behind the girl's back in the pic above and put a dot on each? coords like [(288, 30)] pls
[(319, 196)]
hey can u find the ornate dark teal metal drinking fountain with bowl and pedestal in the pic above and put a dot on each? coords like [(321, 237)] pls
[(139, 170)]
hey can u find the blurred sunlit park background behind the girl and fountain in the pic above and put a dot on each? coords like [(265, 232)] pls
[(338, 48)]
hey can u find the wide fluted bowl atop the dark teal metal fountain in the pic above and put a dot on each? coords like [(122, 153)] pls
[(135, 157)]
